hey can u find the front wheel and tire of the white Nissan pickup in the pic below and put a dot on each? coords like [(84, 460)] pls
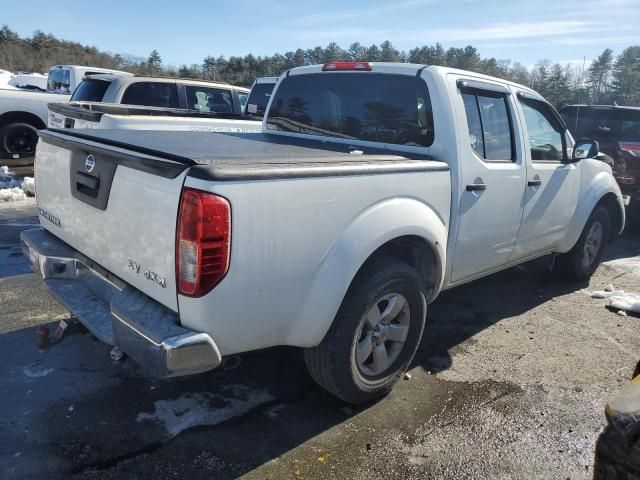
[(585, 257)]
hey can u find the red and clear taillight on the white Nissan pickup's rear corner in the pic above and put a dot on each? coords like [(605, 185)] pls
[(203, 242)]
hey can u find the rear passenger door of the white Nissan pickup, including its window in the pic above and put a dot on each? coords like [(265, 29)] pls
[(492, 176)]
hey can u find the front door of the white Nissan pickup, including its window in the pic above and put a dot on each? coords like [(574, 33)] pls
[(553, 185)]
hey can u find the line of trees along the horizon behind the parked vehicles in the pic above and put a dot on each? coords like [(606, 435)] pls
[(608, 79)]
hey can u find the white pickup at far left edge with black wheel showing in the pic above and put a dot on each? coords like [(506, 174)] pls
[(24, 112)]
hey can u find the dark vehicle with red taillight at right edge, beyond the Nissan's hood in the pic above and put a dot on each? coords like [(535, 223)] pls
[(617, 129)]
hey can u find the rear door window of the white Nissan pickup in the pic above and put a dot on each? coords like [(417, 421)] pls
[(490, 132)]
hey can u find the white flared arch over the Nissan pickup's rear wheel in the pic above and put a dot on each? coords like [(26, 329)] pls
[(372, 228)]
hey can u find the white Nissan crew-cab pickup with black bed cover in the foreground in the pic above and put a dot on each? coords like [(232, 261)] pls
[(373, 188)]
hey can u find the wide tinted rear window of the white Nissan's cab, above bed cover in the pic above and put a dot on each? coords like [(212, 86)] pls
[(374, 107)]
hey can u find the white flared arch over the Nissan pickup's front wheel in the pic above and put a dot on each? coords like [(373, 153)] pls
[(601, 184)]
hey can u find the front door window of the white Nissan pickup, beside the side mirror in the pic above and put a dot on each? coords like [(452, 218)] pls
[(544, 131)]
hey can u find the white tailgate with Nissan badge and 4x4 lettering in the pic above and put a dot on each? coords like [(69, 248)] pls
[(115, 206)]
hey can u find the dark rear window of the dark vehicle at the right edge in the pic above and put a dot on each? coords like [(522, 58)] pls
[(609, 123)]
